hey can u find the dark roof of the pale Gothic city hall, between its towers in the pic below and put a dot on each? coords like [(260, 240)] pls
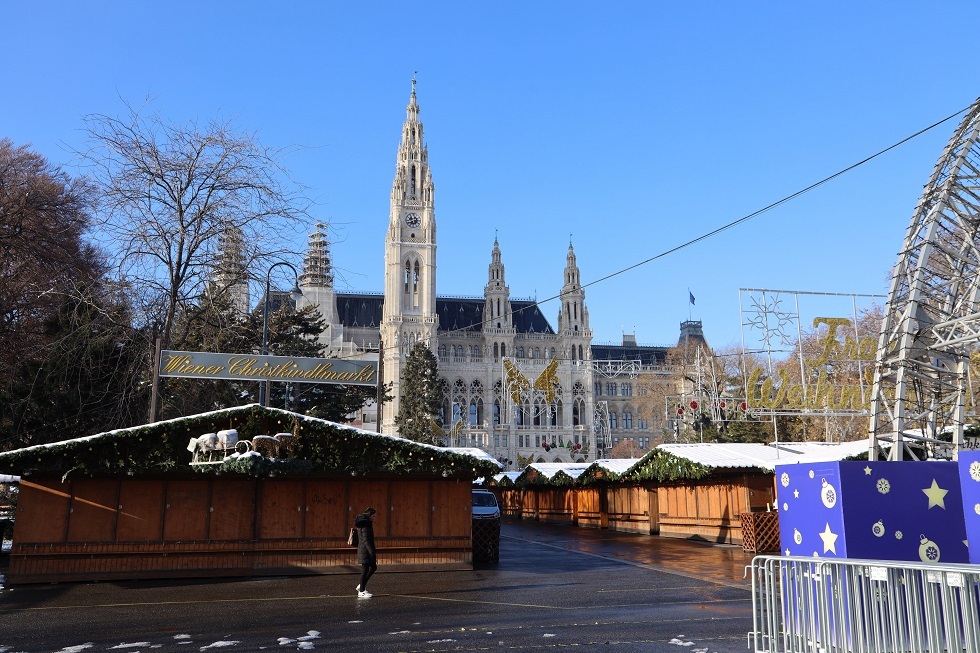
[(364, 310)]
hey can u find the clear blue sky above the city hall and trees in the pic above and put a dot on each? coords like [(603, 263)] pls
[(632, 126)]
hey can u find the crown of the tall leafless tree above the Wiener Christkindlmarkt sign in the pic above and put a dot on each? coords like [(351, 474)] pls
[(169, 193)]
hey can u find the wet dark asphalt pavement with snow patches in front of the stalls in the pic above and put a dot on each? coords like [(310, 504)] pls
[(555, 587)]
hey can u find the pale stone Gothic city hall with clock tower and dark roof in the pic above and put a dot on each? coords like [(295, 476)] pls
[(520, 387)]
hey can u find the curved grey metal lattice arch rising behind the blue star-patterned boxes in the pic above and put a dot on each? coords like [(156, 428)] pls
[(932, 318)]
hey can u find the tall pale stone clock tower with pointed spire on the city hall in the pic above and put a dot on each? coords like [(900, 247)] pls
[(409, 313)]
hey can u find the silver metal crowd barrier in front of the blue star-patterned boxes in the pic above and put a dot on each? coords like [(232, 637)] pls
[(820, 605)]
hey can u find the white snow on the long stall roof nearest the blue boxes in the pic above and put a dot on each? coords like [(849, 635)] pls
[(763, 456)]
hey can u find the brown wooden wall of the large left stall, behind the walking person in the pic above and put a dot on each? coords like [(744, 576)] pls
[(92, 529)]
